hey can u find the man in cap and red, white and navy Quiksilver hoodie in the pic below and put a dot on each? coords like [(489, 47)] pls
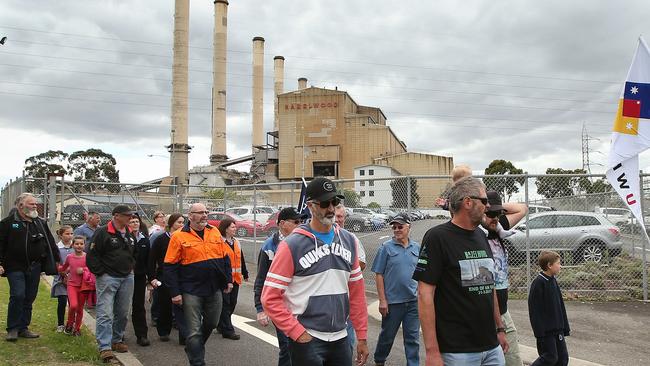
[(315, 283)]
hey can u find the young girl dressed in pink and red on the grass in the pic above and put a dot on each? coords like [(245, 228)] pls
[(74, 265)]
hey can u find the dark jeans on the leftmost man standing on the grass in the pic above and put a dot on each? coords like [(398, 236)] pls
[(23, 288)]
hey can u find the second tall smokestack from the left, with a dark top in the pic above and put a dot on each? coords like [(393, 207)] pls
[(218, 148)]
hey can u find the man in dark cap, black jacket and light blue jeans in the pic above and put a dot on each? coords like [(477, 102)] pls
[(112, 259)]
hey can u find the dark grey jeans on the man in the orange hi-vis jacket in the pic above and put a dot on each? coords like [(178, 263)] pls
[(201, 317)]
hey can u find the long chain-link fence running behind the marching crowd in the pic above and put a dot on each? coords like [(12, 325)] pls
[(579, 216)]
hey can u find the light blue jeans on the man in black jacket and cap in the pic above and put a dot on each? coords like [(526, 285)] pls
[(114, 296)]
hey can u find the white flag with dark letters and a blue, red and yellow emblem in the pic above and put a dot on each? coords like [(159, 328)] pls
[(631, 132)]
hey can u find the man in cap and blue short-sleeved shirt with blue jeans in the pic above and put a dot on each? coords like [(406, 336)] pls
[(398, 302)]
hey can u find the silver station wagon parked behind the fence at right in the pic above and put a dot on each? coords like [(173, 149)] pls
[(588, 235)]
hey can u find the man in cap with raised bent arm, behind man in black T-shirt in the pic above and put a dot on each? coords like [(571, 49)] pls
[(498, 218)]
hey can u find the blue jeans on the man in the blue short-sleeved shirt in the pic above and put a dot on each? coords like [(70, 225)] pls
[(405, 313)]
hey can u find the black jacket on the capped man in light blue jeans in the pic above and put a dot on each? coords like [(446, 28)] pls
[(111, 253)]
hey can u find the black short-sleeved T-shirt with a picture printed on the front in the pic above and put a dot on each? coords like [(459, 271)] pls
[(459, 263)]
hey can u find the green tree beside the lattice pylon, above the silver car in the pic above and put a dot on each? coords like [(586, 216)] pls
[(551, 187)]
